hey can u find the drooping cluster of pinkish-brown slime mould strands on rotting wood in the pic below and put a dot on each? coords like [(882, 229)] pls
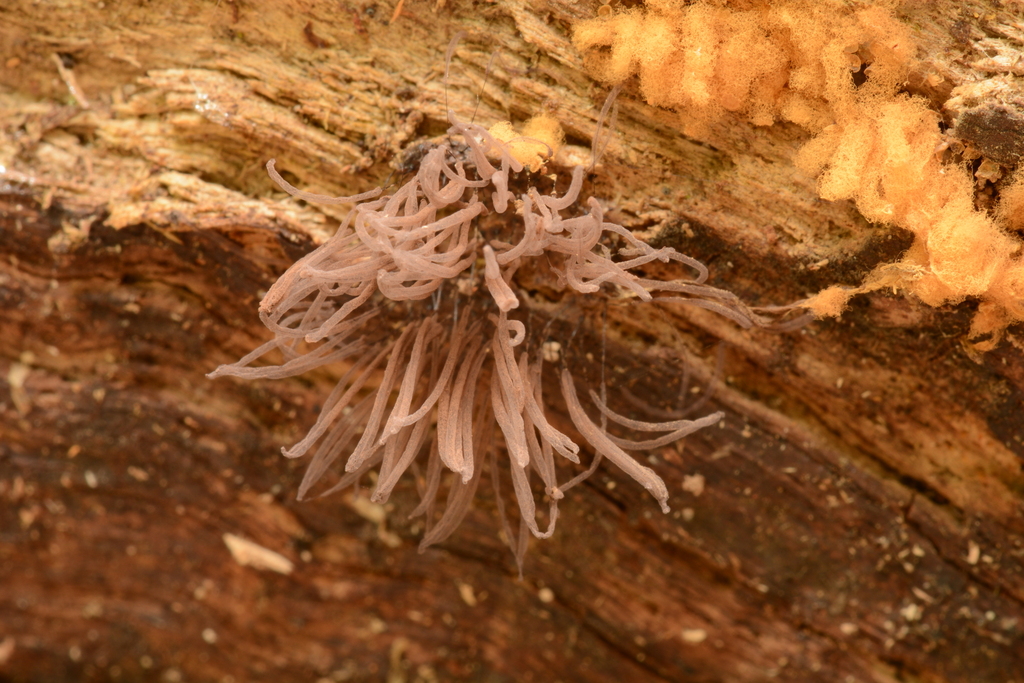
[(381, 298)]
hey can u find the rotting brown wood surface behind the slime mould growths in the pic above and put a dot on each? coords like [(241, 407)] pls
[(861, 517)]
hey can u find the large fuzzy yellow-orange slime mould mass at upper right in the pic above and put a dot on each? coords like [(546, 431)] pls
[(794, 62)]
